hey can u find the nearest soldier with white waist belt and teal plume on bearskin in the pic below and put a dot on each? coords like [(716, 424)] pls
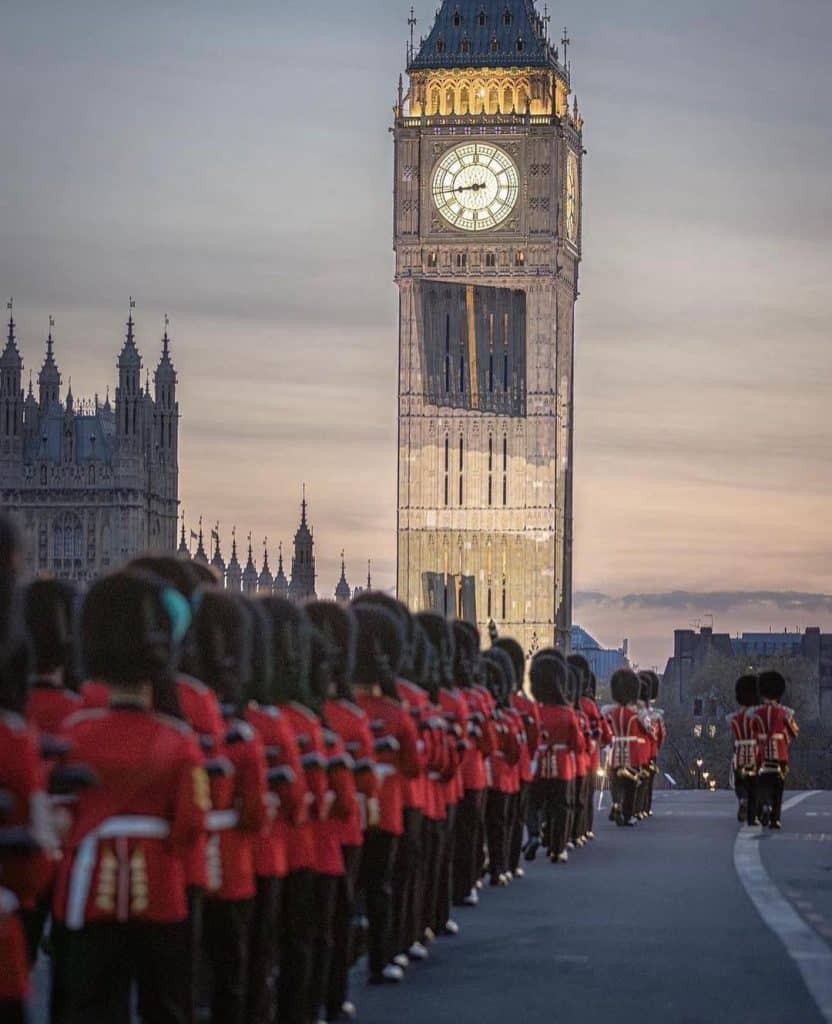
[(120, 893)]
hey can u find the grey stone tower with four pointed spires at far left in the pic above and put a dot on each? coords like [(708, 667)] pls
[(91, 486)]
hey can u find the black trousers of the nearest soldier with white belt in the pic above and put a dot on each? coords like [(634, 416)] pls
[(99, 965)]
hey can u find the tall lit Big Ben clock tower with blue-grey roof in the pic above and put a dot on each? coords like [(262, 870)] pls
[(488, 243)]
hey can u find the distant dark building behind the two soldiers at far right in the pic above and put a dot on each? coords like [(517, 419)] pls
[(692, 649)]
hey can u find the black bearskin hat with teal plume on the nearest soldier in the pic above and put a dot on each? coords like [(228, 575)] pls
[(129, 636)]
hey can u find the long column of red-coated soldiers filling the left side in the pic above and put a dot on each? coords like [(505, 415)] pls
[(235, 800)]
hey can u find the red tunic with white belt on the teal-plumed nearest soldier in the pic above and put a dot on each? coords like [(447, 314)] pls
[(123, 857)]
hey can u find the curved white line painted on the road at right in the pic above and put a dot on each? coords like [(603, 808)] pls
[(811, 955)]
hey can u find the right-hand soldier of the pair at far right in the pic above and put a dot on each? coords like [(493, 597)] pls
[(776, 729)]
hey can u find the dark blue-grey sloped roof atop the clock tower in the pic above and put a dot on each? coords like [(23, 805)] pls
[(526, 25)]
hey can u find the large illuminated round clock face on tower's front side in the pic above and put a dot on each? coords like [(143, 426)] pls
[(476, 187)]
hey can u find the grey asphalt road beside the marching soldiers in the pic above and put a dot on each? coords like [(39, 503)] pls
[(651, 924)]
